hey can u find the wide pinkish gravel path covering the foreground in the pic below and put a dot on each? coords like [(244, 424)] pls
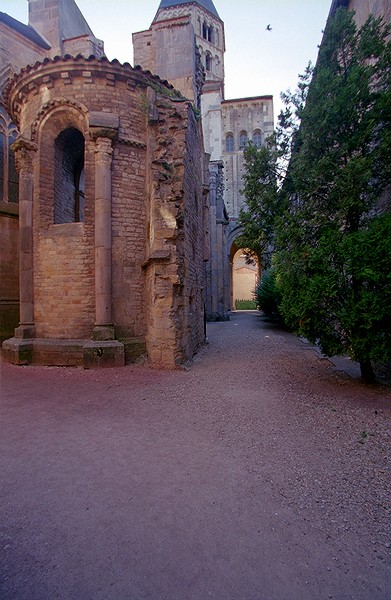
[(258, 474)]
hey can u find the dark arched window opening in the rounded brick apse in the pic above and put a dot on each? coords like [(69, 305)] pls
[(69, 177)]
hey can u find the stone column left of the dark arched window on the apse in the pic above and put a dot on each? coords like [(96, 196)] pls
[(24, 154)]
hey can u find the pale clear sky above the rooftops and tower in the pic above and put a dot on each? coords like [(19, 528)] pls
[(257, 62)]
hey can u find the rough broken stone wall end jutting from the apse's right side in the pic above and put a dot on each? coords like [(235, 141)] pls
[(174, 267)]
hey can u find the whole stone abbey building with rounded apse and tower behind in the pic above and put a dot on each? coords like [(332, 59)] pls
[(118, 202)]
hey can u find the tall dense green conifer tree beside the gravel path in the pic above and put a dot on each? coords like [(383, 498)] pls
[(332, 248)]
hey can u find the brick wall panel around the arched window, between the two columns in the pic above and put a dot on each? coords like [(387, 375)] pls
[(64, 298)]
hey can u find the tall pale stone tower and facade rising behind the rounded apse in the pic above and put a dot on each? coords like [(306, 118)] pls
[(183, 34)]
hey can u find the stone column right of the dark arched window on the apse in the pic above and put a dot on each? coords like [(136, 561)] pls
[(104, 329)]
